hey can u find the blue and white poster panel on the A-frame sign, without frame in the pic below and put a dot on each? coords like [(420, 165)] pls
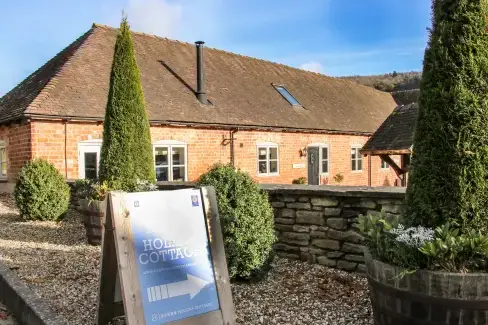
[(174, 265)]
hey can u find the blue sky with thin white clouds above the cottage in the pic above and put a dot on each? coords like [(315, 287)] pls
[(333, 37)]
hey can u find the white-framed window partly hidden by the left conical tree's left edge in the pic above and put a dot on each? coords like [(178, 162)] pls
[(89, 158)]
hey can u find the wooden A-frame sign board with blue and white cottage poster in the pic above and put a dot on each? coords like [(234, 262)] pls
[(163, 260)]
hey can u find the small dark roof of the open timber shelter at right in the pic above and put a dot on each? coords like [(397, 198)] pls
[(396, 132)]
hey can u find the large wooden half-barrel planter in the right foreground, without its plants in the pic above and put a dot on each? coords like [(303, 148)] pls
[(425, 297)]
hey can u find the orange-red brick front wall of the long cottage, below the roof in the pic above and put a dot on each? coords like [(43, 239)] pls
[(205, 148)]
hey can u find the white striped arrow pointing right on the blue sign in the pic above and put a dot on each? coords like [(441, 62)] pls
[(191, 286)]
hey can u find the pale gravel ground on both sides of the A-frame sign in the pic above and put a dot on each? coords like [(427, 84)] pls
[(55, 261)]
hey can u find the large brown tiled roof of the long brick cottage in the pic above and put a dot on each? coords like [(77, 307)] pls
[(75, 84)]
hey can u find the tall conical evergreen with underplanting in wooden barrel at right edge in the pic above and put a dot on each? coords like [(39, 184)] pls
[(430, 266)]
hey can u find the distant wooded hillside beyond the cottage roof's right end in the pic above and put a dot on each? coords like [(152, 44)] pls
[(390, 82)]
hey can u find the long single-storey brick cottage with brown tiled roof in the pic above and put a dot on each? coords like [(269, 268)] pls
[(276, 122)]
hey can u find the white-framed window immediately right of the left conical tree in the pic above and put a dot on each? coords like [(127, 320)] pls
[(170, 160)]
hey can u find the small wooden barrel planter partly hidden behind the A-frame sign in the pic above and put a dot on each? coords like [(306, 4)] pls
[(93, 217)]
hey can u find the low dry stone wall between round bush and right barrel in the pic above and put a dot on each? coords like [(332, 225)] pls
[(318, 224)]
